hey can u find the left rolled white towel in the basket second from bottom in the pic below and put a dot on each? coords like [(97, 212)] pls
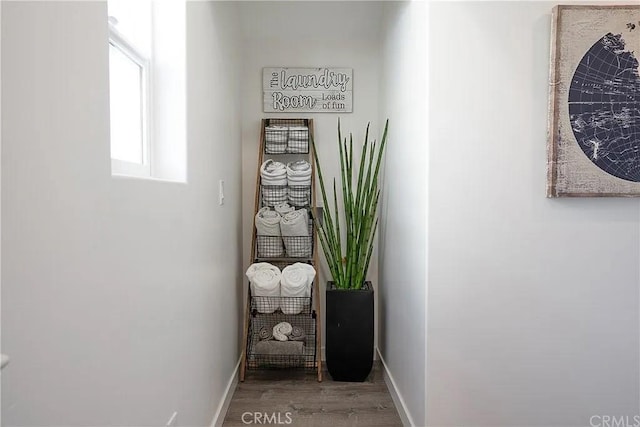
[(265, 280)]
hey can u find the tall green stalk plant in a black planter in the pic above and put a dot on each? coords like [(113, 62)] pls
[(347, 234)]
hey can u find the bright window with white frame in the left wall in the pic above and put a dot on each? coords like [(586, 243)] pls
[(147, 87)]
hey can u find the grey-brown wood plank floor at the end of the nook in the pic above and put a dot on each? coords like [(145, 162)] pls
[(298, 399)]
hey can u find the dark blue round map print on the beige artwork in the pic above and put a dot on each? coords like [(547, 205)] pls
[(604, 107)]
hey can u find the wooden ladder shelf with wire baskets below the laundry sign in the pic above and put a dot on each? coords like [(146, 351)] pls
[(285, 141)]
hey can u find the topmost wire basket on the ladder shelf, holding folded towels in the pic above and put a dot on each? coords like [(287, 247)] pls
[(282, 136)]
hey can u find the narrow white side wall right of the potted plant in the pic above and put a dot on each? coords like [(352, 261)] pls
[(403, 233)]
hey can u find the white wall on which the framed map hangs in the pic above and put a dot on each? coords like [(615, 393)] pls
[(533, 302)]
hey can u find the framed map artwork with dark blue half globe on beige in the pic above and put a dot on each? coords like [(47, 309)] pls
[(593, 144)]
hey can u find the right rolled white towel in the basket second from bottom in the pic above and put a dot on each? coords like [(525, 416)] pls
[(295, 287)]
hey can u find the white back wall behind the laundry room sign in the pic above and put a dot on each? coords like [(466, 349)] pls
[(308, 34)]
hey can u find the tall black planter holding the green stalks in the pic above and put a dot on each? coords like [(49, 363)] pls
[(349, 344)]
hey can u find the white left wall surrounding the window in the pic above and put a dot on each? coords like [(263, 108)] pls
[(120, 297)]
